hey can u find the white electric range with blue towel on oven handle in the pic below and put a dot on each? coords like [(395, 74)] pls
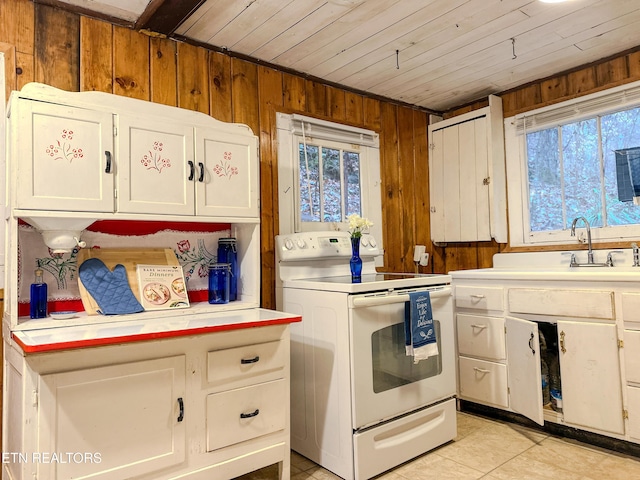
[(359, 404)]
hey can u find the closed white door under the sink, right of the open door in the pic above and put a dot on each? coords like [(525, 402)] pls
[(590, 372)]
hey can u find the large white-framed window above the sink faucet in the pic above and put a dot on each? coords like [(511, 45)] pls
[(573, 160)]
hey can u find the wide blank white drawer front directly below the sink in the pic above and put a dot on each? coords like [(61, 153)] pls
[(562, 303)]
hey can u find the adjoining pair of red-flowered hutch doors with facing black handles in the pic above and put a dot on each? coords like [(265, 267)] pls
[(173, 168)]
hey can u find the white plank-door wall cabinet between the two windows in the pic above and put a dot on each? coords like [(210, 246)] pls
[(467, 177)]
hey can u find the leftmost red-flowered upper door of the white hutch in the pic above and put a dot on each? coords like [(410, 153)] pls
[(65, 157)]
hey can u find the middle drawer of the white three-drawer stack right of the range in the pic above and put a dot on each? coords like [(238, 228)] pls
[(480, 336)]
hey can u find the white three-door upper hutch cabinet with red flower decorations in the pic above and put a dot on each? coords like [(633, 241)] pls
[(95, 152)]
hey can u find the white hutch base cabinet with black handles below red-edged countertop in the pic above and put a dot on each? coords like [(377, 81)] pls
[(207, 406)]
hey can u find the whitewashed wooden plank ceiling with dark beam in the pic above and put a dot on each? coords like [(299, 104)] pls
[(436, 54)]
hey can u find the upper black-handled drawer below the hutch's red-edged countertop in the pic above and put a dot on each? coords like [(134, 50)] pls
[(236, 366)]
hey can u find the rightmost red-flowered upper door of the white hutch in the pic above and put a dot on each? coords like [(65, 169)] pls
[(226, 174)]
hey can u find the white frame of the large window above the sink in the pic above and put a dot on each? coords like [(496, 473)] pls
[(516, 127)]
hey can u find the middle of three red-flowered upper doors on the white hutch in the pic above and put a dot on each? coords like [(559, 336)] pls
[(156, 166)]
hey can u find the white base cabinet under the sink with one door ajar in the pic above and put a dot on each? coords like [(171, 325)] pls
[(499, 352)]
